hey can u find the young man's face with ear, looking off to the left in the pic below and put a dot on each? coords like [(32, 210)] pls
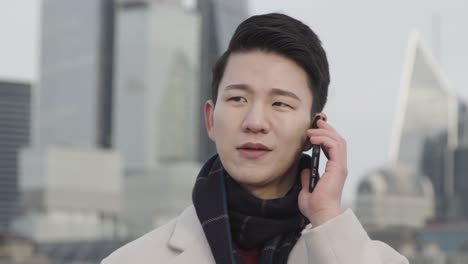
[(260, 119)]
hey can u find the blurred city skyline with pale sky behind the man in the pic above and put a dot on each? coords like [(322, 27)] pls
[(121, 136)]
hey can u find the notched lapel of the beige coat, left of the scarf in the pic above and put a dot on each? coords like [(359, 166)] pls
[(188, 238)]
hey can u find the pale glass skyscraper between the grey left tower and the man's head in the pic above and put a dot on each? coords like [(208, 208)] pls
[(156, 84)]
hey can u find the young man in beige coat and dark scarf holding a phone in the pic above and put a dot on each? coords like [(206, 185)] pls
[(251, 202)]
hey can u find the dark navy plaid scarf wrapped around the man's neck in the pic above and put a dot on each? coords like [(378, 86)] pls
[(233, 218)]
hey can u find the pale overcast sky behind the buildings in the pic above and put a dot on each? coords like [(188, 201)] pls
[(366, 43)]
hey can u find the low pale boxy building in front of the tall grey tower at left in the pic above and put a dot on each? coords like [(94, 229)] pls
[(69, 194)]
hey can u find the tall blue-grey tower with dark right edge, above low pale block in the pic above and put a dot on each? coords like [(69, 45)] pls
[(73, 102)]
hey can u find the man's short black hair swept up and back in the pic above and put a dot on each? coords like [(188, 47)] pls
[(286, 36)]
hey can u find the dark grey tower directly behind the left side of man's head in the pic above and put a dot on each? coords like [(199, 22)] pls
[(219, 20)]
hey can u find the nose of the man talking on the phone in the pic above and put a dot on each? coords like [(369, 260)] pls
[(256, 120)]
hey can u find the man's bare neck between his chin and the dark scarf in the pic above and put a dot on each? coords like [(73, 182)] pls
[(276, 189)]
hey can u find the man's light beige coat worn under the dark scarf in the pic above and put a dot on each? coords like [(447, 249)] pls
[(339, 241)]
